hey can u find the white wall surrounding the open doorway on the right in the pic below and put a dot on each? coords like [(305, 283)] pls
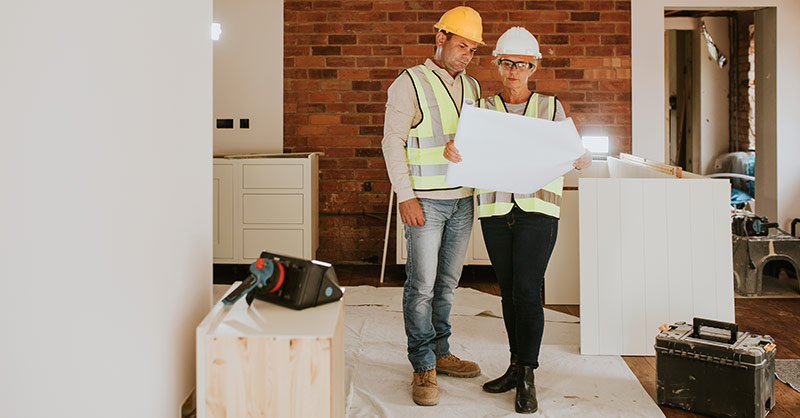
[(647, 65)]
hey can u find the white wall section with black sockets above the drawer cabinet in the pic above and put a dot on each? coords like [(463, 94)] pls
[(248, 76)]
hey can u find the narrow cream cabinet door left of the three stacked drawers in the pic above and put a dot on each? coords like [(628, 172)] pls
[(223, 211)]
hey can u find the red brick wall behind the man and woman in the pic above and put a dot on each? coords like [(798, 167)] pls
[(341, 56)]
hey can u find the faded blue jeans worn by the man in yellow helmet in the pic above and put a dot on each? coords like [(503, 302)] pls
[(436, 253)]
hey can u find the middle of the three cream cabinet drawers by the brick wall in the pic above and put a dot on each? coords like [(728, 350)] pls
[(272, 209)]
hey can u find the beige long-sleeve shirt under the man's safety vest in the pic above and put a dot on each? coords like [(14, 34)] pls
[(402, 112)]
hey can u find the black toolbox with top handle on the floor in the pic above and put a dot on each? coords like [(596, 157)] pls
[(710, 368)]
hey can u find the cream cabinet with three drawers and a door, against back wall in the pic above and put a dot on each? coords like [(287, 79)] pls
[(269, 202)]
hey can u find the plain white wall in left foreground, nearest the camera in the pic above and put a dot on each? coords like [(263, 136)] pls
[(105, 247)]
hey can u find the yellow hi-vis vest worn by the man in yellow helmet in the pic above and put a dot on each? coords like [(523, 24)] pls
[(426, 140)]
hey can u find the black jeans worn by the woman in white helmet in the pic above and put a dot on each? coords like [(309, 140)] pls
[(519, 245)]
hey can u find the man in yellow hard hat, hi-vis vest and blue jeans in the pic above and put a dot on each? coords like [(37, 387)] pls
[(421, 117)]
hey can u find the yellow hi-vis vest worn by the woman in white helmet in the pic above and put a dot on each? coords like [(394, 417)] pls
[(546, 200)]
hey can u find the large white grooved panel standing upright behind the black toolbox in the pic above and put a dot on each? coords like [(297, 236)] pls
[(653, 251)]
